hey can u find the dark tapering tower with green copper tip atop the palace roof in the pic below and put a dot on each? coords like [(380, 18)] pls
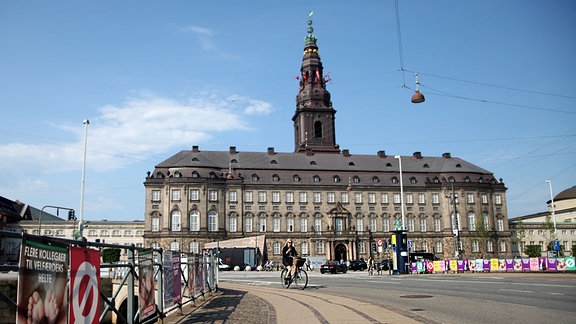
[(314, 127)]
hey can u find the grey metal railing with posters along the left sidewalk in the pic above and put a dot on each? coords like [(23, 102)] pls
[(200, 269)]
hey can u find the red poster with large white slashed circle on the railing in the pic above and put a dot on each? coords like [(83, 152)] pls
[(84, 285)]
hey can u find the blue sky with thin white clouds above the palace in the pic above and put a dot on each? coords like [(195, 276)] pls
[(157, 77)]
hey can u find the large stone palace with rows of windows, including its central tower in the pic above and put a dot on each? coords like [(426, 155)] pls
[(335, 205)]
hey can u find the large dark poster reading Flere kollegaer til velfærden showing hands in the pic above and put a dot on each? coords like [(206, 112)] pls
[(42, 282)]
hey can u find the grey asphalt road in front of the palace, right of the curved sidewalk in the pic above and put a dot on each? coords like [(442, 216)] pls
[(447, 298)]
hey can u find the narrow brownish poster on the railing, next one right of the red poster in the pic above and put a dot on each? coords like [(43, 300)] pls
[(146, 288)]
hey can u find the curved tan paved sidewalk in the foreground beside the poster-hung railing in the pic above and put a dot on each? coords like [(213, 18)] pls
[(238, 303)]
